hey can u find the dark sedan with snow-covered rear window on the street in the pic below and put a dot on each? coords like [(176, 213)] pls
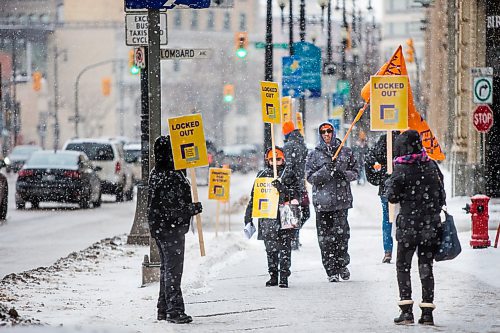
[(62, 176)]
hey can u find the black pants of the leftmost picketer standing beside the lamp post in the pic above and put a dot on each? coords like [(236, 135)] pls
[(172, 263)]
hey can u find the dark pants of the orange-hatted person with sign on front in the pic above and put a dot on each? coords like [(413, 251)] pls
[(279, 253)]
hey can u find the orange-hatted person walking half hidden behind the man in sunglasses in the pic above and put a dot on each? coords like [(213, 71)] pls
[(295, 154)]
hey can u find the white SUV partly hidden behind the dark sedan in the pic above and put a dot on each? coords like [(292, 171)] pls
[(115, 175)]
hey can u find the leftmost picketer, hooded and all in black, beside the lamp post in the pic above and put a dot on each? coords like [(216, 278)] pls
[(170, 208)]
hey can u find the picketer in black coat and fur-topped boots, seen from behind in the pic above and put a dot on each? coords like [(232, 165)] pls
[(417, 184)]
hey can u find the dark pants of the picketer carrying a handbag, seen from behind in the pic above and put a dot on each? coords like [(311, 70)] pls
[(425, 255)]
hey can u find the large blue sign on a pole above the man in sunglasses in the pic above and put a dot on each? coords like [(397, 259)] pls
[(310, 56)]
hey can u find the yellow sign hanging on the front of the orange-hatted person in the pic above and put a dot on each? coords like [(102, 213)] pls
[(265, 199)]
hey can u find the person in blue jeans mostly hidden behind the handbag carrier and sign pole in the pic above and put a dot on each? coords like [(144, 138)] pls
[(376, 174)]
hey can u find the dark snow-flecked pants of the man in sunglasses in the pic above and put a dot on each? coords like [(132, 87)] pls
[(333, 238)]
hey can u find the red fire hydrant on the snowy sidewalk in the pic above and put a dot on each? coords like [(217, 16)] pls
[(479, 211)]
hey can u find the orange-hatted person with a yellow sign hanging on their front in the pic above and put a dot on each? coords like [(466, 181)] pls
[(277, 229)]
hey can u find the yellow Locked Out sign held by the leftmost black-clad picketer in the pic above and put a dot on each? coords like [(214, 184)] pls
[(188, 141)]
